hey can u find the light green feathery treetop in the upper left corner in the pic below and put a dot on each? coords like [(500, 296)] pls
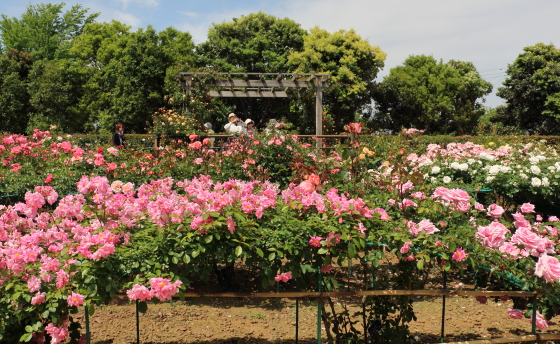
[(44, 30)]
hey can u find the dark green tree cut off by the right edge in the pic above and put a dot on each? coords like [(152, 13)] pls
[(532, 91)]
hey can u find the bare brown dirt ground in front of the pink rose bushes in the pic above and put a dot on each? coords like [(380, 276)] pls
[(234, 320)]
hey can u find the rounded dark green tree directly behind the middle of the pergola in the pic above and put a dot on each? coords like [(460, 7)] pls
[(256, 43)]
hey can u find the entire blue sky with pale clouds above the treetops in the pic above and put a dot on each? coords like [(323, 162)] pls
[(489, 33)]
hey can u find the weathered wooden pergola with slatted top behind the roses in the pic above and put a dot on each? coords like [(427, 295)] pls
[(262, 85)]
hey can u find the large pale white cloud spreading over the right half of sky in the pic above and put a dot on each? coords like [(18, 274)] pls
[(488, 33)]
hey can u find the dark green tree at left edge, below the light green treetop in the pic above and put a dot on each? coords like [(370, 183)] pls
[(14, 99)]
